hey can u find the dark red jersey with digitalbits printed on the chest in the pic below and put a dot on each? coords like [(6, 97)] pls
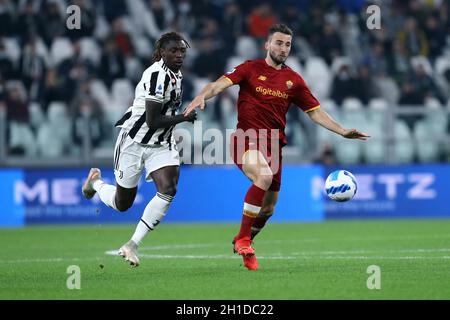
[(266, 93)]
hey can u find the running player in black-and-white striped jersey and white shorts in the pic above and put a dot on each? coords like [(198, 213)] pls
[(146, 142)]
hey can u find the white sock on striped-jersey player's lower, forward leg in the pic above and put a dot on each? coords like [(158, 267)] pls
[(153, 214)]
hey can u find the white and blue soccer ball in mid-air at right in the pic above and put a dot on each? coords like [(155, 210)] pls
[(341, 185)]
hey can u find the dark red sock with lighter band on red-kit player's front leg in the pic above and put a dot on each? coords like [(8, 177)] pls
[(252, 206)]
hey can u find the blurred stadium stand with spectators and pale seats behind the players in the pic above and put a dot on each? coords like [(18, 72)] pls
[(62, 90)]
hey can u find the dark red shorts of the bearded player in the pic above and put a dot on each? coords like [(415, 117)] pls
[(239, 148)]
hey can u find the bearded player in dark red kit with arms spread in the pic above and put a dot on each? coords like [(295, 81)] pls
[(267, 88)]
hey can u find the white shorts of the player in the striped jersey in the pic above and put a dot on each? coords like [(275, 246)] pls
[(130, 159)]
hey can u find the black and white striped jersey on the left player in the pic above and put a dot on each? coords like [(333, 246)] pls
[(158, 84)]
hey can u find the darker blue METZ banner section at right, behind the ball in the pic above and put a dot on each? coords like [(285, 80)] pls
[(420, 191)]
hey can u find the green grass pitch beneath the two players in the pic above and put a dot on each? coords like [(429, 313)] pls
[(326, 260)]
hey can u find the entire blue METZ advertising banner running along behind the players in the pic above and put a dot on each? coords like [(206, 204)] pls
[(216, 194)]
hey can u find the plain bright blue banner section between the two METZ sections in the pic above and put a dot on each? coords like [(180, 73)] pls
[(217, 194)]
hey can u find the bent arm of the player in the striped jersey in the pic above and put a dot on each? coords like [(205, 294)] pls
[(156, 120)]
